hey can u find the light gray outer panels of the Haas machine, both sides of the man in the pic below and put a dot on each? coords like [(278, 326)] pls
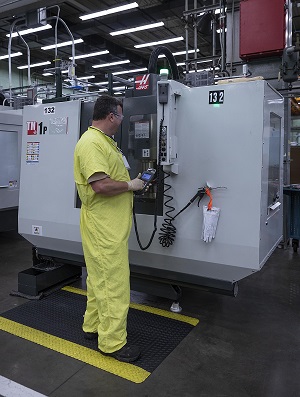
[(226, 144)]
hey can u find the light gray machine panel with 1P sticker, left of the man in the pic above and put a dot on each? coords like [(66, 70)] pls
[(47, 214)]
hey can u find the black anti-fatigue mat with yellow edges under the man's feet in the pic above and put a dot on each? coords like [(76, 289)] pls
[(60, 315)]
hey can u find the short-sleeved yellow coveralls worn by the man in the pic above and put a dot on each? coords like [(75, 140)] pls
[(105, 223)]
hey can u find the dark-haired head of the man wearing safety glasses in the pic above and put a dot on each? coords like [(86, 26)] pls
[(108, 114)]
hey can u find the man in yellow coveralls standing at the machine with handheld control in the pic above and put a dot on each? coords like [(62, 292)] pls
[(105, 190)]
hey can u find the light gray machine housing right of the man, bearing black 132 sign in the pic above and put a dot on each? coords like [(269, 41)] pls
[(226, 145)]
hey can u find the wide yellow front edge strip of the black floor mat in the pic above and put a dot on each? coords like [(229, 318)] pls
[(81, 353)]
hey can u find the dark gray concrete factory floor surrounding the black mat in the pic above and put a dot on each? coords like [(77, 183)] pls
[(244, 346)]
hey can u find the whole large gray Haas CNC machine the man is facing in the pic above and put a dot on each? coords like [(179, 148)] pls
[(225, 137)]
